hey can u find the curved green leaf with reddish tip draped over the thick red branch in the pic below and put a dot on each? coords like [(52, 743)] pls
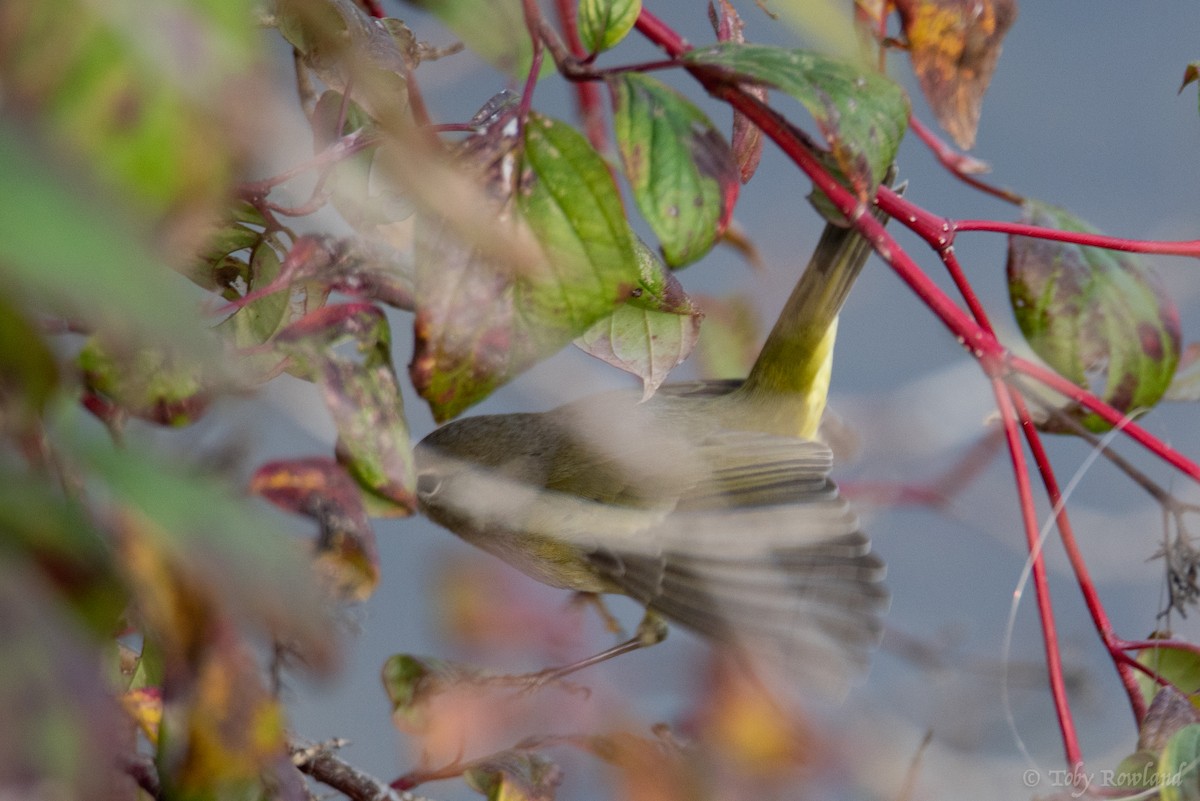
[(862, 115)]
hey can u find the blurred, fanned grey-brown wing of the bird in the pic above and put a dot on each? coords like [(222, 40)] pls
[(764, 555)]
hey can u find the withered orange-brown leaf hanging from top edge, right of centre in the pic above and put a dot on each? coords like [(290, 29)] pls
[(955, 47)]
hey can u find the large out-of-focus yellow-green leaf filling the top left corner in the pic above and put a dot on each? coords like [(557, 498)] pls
[(153, 116)]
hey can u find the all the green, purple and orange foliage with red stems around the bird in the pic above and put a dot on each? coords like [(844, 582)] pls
[(148, 280)]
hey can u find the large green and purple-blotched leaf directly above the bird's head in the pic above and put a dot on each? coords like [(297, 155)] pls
[(482, 322)]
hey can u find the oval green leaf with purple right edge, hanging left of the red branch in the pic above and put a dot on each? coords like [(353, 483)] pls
[(681, 170)]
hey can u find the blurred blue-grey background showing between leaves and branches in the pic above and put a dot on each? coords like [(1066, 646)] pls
[(1084, 113)]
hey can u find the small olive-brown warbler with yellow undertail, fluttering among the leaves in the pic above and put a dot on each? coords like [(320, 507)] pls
[(710, 504)]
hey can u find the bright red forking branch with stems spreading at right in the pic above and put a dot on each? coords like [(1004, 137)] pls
[(975, 334)]
